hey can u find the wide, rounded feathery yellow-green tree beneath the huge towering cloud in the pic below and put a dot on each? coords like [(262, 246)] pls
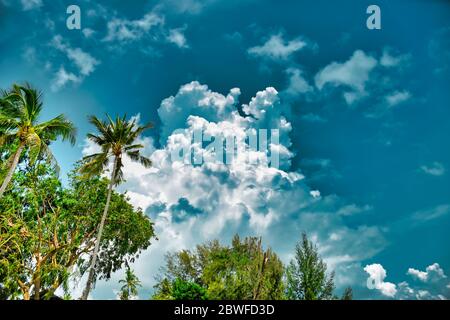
[(240, 271)]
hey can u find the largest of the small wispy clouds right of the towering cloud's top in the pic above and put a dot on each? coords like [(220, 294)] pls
[(353, 74)]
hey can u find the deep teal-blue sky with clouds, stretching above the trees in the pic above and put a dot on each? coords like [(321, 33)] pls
[(368, 111)]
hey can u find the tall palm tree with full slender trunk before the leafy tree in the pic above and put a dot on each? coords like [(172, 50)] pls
[(115, 139)]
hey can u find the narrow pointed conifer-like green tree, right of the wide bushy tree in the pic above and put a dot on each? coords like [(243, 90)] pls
[(306, 274)]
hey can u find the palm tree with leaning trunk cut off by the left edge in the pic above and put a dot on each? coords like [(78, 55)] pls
[(20, 108)]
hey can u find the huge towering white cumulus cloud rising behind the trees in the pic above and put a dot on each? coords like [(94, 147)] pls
[(190, 204)]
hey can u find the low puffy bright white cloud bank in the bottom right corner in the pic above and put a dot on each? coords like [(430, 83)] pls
[(432, 283)]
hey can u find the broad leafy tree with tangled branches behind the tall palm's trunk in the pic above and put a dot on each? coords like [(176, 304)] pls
[(46, 231)]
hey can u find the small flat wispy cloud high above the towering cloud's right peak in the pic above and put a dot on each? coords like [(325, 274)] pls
[(276, 48)]
